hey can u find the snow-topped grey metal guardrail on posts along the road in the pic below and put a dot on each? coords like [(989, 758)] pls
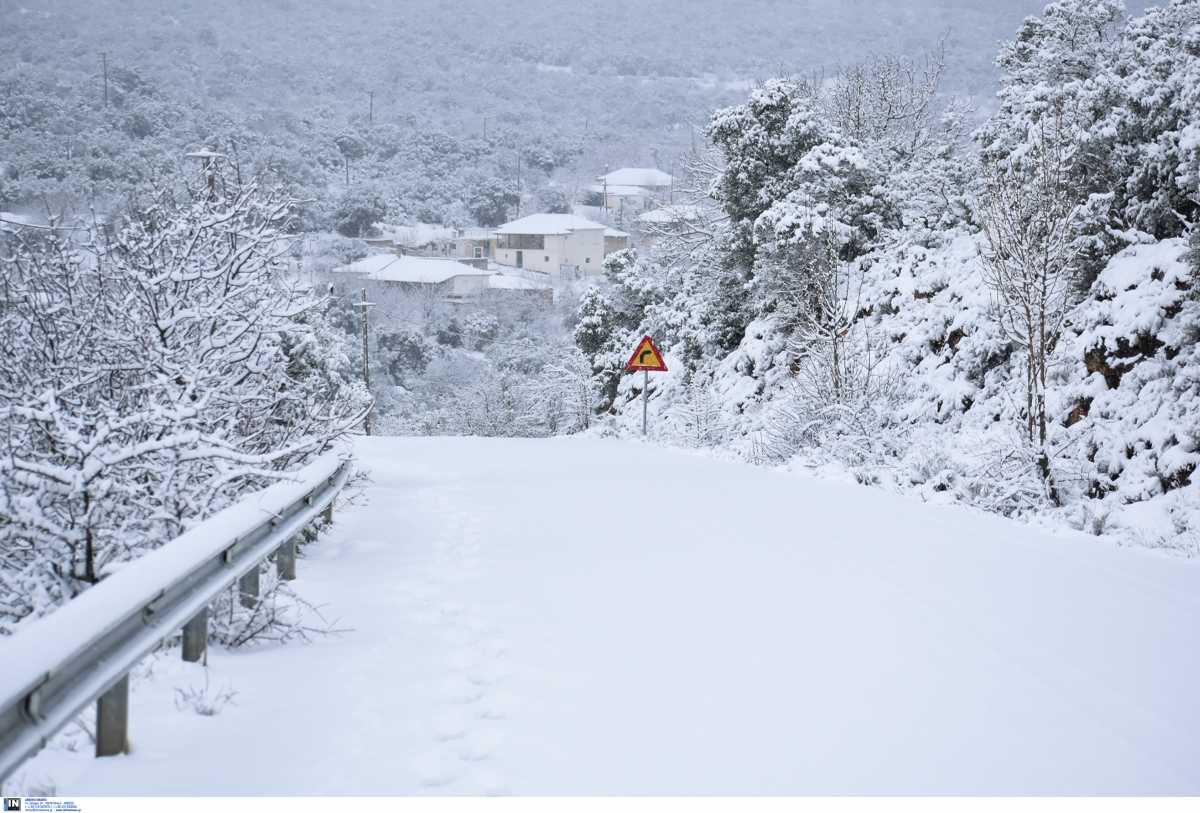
[(85, 651)]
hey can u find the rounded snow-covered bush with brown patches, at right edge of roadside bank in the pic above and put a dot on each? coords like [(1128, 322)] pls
[(1135, 394)]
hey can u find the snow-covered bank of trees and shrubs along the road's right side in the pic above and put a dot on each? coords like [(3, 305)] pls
[(1087, 179)]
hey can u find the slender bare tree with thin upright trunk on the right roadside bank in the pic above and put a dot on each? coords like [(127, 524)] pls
[(1031, 263)]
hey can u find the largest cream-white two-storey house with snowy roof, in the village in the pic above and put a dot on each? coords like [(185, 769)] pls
[(556, 244)]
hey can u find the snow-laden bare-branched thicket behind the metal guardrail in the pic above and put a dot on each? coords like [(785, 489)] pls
[(152, 372)]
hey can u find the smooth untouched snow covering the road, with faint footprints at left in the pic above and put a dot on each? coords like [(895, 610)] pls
[(601, 617)]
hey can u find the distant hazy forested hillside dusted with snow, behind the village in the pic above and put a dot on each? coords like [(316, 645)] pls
[(459, 89)]
